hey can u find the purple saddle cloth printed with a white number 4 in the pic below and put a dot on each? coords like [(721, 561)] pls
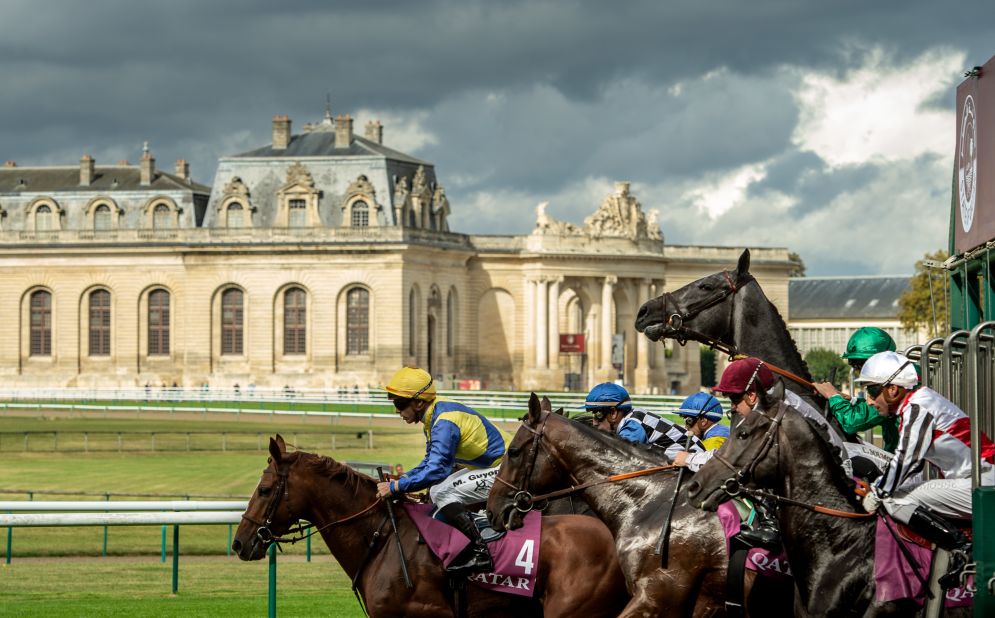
[(516, 554)]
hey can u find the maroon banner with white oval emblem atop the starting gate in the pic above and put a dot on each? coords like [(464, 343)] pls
[(974, 160)]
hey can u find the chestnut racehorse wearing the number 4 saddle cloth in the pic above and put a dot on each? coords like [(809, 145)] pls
[(342, 504)]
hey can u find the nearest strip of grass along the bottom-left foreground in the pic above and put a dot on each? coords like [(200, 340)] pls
[(143, 587)]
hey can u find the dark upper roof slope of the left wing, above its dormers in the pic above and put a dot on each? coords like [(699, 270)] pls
[(106, 178)]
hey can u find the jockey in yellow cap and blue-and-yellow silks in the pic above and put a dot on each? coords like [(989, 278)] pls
[(462, 454)]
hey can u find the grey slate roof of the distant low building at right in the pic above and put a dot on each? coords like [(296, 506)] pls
[(812, 298)]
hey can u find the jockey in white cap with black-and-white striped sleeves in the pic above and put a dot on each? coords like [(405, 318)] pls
[(934, 430)]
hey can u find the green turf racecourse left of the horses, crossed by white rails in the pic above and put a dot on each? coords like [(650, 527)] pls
[(61, 571)]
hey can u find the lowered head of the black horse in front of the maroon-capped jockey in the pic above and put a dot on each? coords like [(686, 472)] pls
[(747, 458)]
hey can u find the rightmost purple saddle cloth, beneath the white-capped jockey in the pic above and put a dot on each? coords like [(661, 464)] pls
[(894, 577)]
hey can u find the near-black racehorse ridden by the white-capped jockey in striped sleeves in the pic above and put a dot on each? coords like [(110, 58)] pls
[(830, 548)]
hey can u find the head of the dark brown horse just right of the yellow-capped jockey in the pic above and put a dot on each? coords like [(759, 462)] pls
[(529, 467)]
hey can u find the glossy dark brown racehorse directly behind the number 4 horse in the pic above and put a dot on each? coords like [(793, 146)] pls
[(549, 451)]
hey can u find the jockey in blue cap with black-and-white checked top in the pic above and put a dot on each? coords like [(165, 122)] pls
[(613, 411)]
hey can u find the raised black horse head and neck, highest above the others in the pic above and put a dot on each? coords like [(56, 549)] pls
[(727, 308)]
